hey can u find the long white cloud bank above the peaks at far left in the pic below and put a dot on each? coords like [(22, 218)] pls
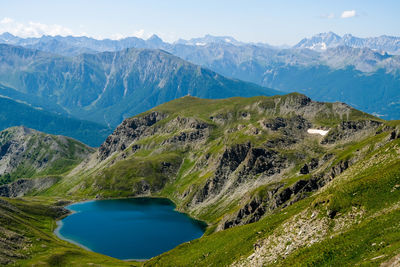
[(32, 29)]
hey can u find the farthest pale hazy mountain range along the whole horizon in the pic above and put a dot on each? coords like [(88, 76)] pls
[(71, 45)]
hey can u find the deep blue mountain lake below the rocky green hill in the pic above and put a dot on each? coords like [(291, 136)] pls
[(138, 228)]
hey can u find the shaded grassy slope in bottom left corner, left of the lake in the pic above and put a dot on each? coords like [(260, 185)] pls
[(34, 218)]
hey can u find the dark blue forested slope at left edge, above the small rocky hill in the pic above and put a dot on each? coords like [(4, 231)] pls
[(15, 114)]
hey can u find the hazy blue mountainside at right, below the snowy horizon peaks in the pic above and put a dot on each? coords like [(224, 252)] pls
[(366, 79)]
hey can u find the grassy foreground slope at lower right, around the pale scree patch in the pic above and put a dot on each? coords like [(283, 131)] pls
[(368, 185)]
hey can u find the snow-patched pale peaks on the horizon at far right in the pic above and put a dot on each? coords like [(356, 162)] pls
[(322, 41)]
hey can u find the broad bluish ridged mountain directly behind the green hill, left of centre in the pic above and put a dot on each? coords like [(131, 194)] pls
[(108, 87)]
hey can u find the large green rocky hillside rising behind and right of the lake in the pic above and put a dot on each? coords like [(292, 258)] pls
[(272, 190)]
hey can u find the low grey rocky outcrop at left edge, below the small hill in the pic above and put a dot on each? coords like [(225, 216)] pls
[(22, 187)]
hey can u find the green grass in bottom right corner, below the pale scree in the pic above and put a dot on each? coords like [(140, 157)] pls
[(374, 237)]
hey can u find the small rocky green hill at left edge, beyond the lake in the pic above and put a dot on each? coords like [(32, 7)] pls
[(28, 153)]
